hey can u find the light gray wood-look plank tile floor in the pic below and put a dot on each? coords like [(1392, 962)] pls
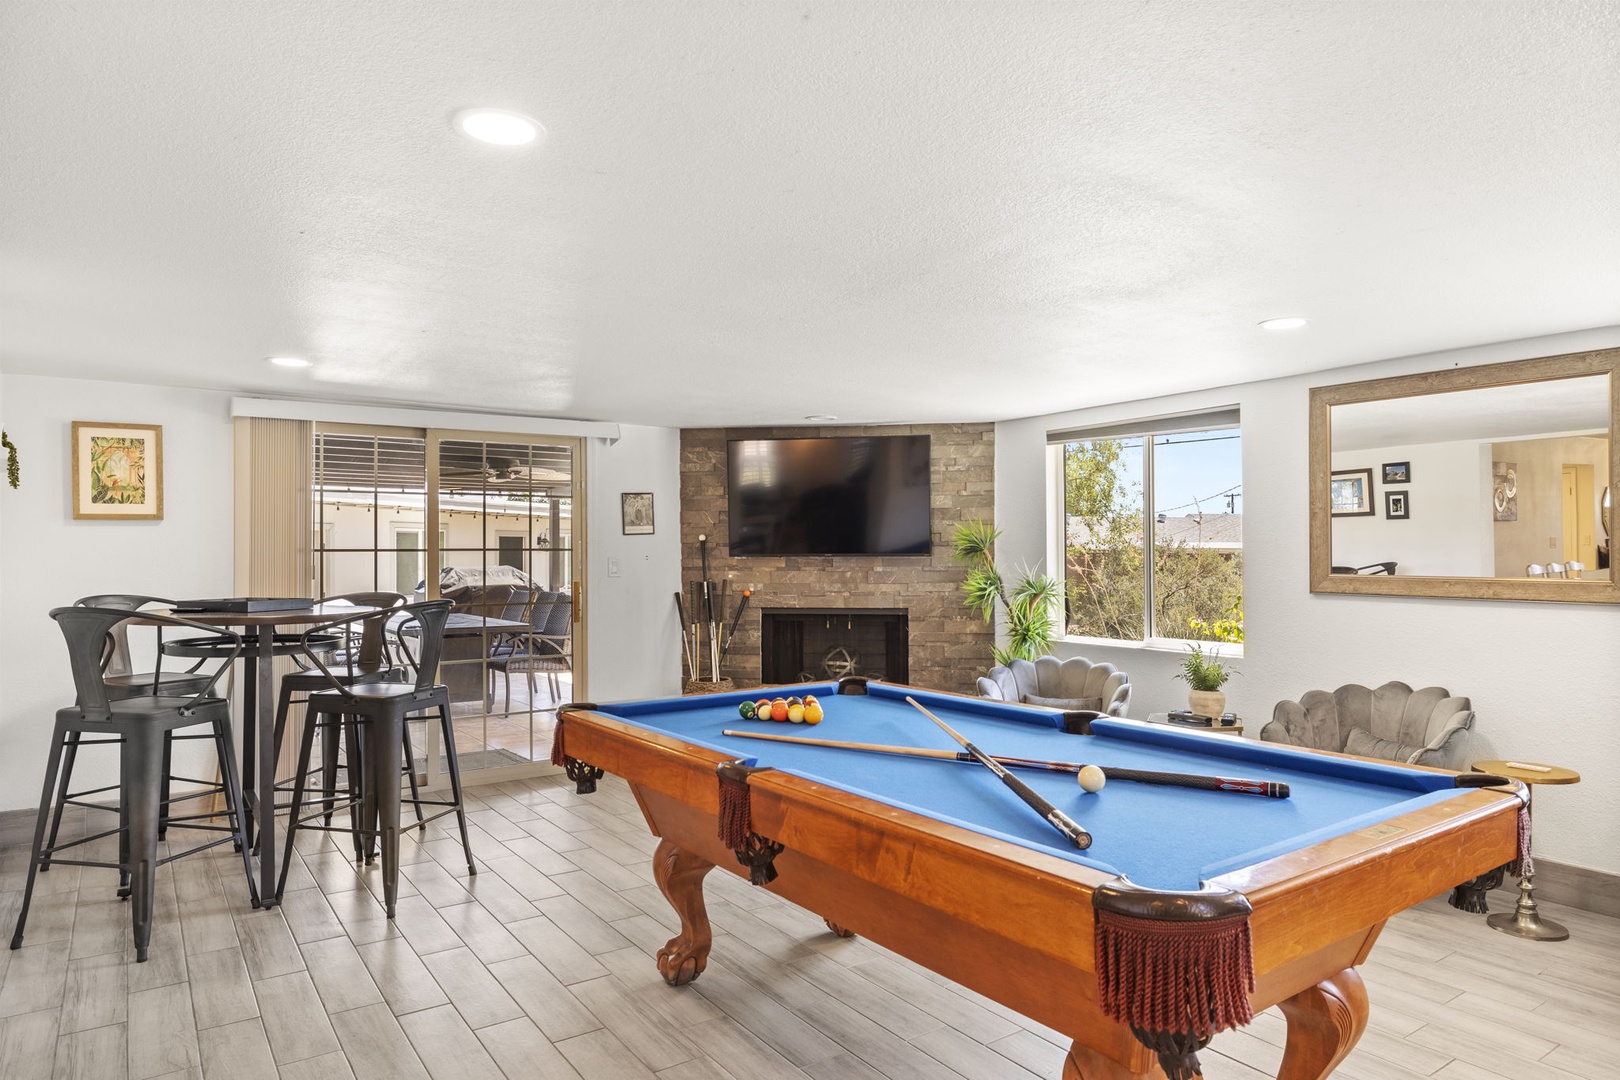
[(540, 967)]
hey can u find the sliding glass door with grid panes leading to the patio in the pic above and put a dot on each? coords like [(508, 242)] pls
[(490, 522)]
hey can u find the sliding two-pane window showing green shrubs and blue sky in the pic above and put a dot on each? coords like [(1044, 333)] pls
[(1190, 472)]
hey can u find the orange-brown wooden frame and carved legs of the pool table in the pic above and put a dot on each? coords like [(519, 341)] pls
[(1015, 924)]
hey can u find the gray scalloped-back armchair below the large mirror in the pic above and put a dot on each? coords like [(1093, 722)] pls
[(1394, 721)]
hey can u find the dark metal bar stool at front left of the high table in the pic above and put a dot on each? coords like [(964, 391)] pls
[(142, 726)]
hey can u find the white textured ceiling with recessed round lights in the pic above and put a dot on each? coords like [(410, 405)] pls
[(749, 213)]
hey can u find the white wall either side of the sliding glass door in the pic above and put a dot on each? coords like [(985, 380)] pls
[(48, 559)]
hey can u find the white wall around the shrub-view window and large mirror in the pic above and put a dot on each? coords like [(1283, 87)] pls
[(1543, 678)]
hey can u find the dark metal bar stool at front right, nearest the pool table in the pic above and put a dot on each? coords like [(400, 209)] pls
[(380, 710)]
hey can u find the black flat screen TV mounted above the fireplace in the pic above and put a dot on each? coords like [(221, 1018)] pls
[(842, 496)]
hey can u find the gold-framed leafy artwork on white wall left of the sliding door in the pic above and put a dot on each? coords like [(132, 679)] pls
[(117, 472)]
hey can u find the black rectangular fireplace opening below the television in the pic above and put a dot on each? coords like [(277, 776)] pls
[(816, 644)]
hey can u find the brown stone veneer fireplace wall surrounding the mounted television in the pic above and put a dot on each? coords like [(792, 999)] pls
[(949, 644)]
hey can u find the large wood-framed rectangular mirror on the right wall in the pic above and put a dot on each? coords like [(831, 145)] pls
[(1493, 483)]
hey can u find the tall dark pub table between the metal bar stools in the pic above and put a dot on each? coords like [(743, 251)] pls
[(258, 712)]
